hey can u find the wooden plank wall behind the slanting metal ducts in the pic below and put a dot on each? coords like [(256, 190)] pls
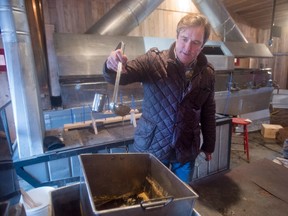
[(76, 16)]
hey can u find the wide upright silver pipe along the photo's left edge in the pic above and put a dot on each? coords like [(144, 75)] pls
[(24, 88)]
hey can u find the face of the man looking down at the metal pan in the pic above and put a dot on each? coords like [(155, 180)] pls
[(189, 44)]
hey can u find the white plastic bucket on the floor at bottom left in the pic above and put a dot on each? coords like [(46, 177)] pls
[(41, 195)]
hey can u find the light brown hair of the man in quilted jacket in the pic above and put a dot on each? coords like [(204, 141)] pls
[(194, 20)]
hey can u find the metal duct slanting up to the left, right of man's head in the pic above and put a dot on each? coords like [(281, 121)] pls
[(220, 20)]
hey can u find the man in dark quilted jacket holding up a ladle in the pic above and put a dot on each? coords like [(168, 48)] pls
[(178, 100)]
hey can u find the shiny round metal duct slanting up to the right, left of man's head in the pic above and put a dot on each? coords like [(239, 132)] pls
[(124, 17)]
